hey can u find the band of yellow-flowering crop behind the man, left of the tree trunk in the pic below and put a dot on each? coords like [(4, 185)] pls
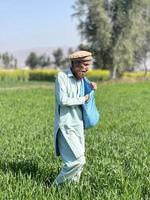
[(45, 75)]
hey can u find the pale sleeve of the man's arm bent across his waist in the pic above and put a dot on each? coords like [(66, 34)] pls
[(62, 95)]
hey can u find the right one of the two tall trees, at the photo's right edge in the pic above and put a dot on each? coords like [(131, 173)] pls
[(132, 35)]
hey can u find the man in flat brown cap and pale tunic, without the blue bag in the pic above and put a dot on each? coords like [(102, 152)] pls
[(69, 128)]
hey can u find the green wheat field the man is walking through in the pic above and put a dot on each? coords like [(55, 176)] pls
[(117, 149)]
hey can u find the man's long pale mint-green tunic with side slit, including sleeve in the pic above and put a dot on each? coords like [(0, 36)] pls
[(68, 113)]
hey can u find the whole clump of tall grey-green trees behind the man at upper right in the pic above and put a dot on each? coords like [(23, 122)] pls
[(116, 31)]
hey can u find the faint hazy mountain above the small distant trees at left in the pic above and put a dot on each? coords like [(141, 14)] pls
[(21, 55)]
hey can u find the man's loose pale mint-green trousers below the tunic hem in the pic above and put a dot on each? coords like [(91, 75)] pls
[(72, 167)]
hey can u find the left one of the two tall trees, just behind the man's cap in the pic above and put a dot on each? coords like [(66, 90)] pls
[(95, 28)]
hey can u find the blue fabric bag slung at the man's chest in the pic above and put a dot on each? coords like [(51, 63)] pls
[(90, 113)]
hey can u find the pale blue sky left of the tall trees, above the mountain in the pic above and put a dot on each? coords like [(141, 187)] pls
[(37, 23)]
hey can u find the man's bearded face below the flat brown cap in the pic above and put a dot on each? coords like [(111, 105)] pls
[(81, 68)]
